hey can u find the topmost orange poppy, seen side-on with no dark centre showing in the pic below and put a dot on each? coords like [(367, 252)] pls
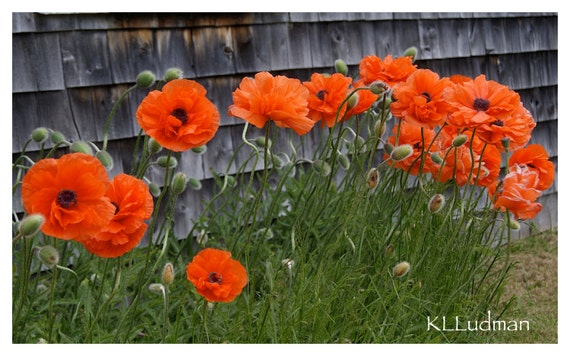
[(390, 71)]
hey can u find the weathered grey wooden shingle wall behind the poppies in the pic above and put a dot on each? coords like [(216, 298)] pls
[(69, 69)]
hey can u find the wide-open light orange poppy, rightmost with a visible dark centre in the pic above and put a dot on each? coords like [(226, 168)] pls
[(479, 101)]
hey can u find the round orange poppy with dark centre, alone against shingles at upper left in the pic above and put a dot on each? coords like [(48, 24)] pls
[(179, 117)]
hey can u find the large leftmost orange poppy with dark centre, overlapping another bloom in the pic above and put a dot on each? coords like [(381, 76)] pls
[(70, 193)]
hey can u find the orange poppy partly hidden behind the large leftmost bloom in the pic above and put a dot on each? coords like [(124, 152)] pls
[(133, 204)]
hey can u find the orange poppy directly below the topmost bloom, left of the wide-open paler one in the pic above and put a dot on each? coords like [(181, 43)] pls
[(420, 99)]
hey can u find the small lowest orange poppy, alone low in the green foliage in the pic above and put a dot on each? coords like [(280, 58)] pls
[(216, 276)]
